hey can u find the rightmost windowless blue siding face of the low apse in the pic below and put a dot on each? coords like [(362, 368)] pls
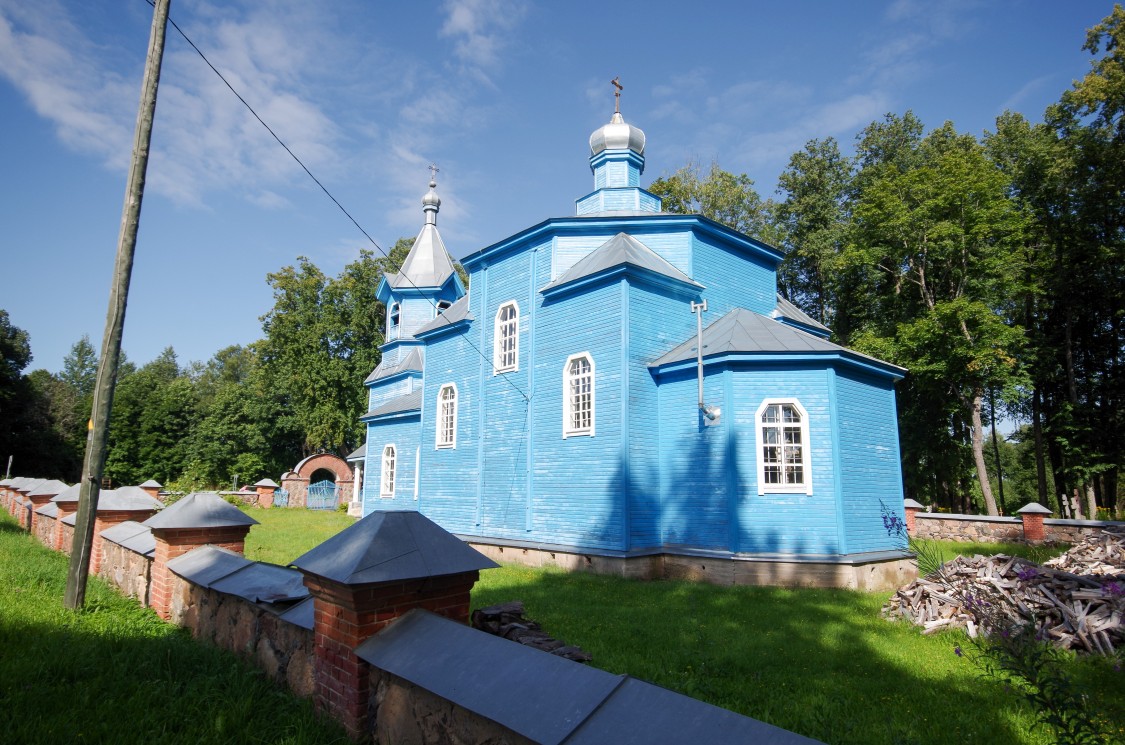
[(870, 468)]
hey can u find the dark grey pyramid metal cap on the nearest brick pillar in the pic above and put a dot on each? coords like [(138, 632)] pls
[(389, 546)]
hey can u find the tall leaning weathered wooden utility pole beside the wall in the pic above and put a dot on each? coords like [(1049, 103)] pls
[(95, 462)]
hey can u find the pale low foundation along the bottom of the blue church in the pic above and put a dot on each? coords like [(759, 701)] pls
[(880, 571)]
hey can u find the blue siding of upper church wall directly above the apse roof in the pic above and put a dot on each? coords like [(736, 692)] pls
[(734, 280)]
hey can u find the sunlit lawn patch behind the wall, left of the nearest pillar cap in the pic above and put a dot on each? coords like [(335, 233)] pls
[(285, 534)]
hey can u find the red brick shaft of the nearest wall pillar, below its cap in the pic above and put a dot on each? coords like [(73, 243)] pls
[(346, 616)]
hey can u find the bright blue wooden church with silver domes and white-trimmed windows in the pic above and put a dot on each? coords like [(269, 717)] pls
[(625, 391)]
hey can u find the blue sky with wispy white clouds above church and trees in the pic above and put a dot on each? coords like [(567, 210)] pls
[(502, 95)]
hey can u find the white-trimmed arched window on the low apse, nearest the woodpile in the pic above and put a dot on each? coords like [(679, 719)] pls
[(784, 447)]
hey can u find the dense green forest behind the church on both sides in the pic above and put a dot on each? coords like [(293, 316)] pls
[(993, 268)]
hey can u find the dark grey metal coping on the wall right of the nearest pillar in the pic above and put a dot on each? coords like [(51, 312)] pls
[(560, 702)]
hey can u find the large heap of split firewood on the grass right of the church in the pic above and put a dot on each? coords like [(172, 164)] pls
[(1076, 602)]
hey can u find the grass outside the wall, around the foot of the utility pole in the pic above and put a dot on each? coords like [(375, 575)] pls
[(115, 674)]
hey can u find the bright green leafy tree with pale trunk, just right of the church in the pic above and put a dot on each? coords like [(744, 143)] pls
[(939, 231)]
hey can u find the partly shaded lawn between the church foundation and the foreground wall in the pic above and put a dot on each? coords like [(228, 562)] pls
[(818, 662)]
